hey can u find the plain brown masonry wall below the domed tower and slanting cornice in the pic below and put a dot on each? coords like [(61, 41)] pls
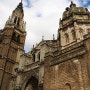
[(70, 74)]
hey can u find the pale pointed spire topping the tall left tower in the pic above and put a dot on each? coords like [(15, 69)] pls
[(17, 17)]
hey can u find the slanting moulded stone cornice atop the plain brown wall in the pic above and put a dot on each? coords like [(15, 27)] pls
[(68, 53)]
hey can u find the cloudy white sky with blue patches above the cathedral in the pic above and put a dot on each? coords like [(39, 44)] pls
[(41, 16)]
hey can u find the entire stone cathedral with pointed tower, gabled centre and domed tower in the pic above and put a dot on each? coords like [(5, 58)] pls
[(61, 64)]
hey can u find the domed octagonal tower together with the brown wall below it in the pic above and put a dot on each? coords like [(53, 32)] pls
[(68, 67)]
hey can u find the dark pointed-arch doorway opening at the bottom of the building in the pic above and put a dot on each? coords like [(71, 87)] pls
[(32, 84)]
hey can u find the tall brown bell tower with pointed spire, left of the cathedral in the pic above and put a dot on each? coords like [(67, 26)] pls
[(12, 39)]
